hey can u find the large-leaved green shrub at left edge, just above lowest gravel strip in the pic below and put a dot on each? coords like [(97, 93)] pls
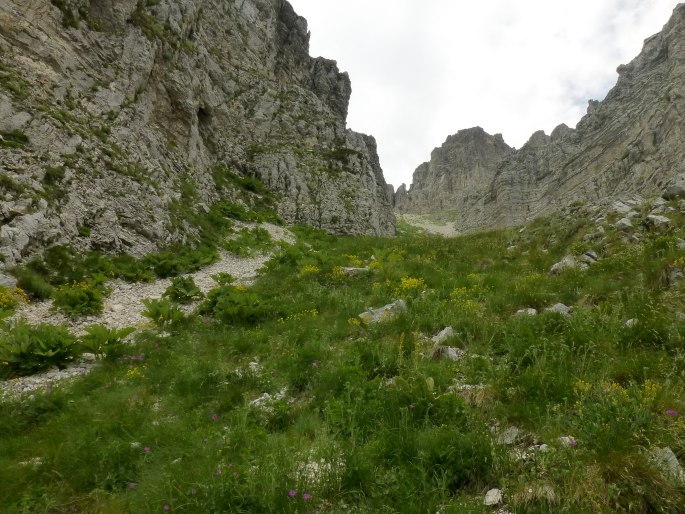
[(26, 349)]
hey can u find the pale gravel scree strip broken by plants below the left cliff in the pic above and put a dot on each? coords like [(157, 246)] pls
[(123, 309)]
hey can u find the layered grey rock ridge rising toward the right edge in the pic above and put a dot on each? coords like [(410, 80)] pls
[(631, 142)]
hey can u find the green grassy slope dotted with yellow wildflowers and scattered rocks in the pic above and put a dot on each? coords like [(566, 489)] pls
[(368, 422)]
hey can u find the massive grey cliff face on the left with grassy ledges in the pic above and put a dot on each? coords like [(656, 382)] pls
[(112, 110)]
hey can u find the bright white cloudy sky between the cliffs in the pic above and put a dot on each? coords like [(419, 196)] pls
[(424, 69)]
